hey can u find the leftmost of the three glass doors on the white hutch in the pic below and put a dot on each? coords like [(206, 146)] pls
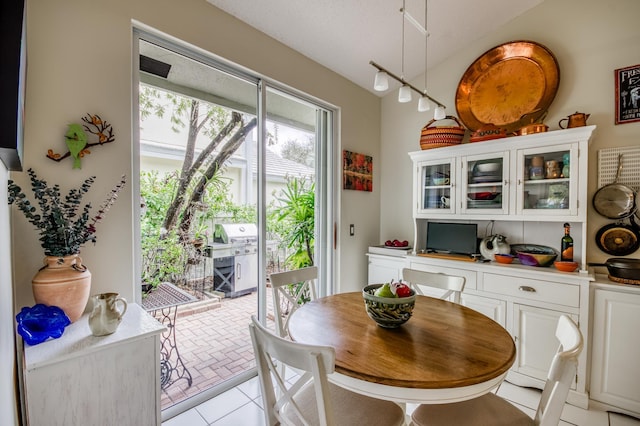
[(435, 186)]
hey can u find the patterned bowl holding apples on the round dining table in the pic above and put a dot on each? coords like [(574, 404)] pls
[(388, 312)]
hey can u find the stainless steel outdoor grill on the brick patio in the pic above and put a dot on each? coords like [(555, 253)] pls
[(235, 258)]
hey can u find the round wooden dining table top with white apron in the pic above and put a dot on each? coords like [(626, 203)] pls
[(446, 352)]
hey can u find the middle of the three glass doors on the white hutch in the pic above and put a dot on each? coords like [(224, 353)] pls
[(485, 183)]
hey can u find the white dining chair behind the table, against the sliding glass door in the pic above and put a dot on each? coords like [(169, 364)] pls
[(291, 289)]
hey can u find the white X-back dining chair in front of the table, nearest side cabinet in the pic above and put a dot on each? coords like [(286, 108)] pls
[(309, 399)]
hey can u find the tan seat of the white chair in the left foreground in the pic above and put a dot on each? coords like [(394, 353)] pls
[(349, 408)]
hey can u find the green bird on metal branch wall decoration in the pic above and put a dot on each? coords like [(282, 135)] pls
[(77, 139)]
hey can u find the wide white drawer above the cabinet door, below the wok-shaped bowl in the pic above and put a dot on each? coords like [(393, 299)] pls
[(535, 290)]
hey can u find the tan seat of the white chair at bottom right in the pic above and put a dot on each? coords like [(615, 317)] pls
[(487, 410)]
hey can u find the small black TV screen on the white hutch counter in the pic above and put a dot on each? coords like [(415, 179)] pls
[(459, 238)]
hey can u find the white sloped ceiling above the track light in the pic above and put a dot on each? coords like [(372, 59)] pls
[(344, 35)]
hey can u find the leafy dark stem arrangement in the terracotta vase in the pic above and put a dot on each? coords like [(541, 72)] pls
[(63, 225)]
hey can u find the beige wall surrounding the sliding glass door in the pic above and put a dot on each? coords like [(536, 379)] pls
[(80, 61)]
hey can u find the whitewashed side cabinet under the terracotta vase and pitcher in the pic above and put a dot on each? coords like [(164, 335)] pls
[(80, 379)]
